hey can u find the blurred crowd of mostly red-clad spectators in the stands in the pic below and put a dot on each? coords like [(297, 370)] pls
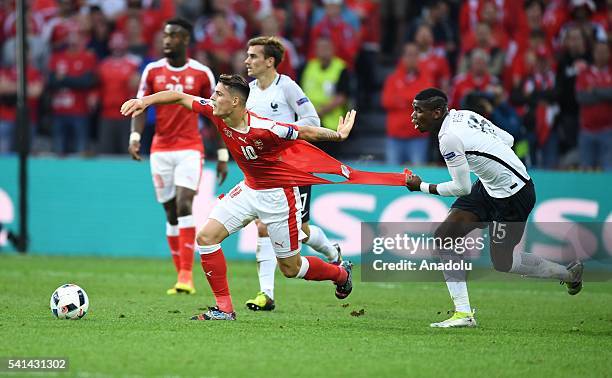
[(537, 68)]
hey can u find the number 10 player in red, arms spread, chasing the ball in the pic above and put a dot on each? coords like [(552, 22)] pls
[(269, 191)]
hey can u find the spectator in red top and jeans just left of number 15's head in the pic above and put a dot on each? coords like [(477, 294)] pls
[(404, 142)]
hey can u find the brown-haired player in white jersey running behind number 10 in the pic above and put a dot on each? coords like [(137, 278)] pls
[(278, 97)]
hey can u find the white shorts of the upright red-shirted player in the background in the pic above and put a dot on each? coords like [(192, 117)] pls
[(170, 169)]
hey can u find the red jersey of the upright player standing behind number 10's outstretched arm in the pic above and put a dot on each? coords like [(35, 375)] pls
[(176, 128)]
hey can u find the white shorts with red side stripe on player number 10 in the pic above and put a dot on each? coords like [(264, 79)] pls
[(279, 208)]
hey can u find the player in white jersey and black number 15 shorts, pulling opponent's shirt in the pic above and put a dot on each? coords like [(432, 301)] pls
[(502, 197)]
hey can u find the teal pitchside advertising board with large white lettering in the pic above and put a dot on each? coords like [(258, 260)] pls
[(107, 207)]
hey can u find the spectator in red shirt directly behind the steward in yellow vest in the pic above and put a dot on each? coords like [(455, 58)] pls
[(343, 36)]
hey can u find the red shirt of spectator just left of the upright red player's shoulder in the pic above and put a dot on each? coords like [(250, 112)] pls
[(115, 73)]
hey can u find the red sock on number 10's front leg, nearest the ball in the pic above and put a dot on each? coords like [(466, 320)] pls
[(215, 270)]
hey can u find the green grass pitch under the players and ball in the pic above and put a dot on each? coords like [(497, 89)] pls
[(527, 327)]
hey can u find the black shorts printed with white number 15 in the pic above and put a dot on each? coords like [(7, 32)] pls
[(506, 217)]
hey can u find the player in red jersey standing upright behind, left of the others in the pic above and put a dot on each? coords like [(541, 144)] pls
[(177, 151)]
